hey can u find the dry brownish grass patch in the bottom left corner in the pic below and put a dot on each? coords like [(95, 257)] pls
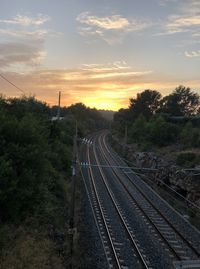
[(29, 249)]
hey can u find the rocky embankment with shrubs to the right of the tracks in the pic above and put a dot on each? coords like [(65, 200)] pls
[(183, 179)]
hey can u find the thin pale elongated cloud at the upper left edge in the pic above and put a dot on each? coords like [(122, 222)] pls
[(27, 21)]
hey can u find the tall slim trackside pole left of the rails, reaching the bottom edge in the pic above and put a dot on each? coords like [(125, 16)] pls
[(72, 208)]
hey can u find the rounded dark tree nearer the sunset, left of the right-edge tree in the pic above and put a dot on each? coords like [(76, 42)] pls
[(146, 103)]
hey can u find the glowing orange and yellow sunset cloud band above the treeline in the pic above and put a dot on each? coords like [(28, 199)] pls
[(102, 86)]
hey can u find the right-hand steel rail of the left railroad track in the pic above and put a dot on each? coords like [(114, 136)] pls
[(120, 215)]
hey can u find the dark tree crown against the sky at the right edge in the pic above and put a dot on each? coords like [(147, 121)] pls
[(182, 102)]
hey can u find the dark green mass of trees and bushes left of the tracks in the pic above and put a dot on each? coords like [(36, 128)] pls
[(35, 160)]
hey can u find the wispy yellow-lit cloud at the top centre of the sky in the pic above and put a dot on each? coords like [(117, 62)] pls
[(111, 29)]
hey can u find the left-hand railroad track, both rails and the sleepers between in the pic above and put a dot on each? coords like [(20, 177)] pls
[(122, 251)]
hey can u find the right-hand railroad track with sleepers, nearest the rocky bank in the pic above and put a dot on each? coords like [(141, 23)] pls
[(178, 245)]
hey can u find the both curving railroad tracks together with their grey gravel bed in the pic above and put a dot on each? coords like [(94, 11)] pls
[(135, 233)]
